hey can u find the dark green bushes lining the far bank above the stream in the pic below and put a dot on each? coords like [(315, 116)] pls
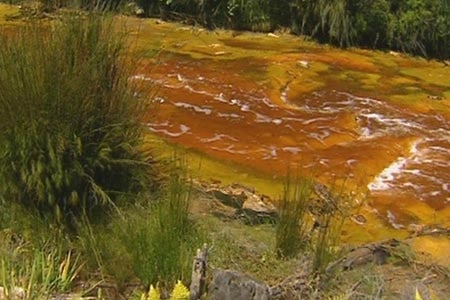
[(415, 26)]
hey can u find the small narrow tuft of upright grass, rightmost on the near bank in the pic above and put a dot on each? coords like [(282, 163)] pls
[(293, 226)]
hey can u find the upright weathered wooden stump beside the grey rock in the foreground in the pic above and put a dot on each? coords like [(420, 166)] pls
[(198, 277)]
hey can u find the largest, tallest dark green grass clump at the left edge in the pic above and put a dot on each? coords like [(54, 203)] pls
[(69, 125)]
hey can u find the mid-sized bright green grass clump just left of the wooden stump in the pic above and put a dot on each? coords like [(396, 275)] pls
[(164, 238)]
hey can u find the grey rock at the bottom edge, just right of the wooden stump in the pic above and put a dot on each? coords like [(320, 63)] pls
[(230, 285)]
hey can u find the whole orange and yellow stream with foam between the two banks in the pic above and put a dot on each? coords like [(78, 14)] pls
[(277, 103)]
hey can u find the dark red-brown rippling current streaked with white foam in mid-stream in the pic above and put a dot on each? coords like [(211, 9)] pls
[(241, 118)]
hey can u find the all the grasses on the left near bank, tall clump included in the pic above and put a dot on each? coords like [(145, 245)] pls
[(75, 176)]
